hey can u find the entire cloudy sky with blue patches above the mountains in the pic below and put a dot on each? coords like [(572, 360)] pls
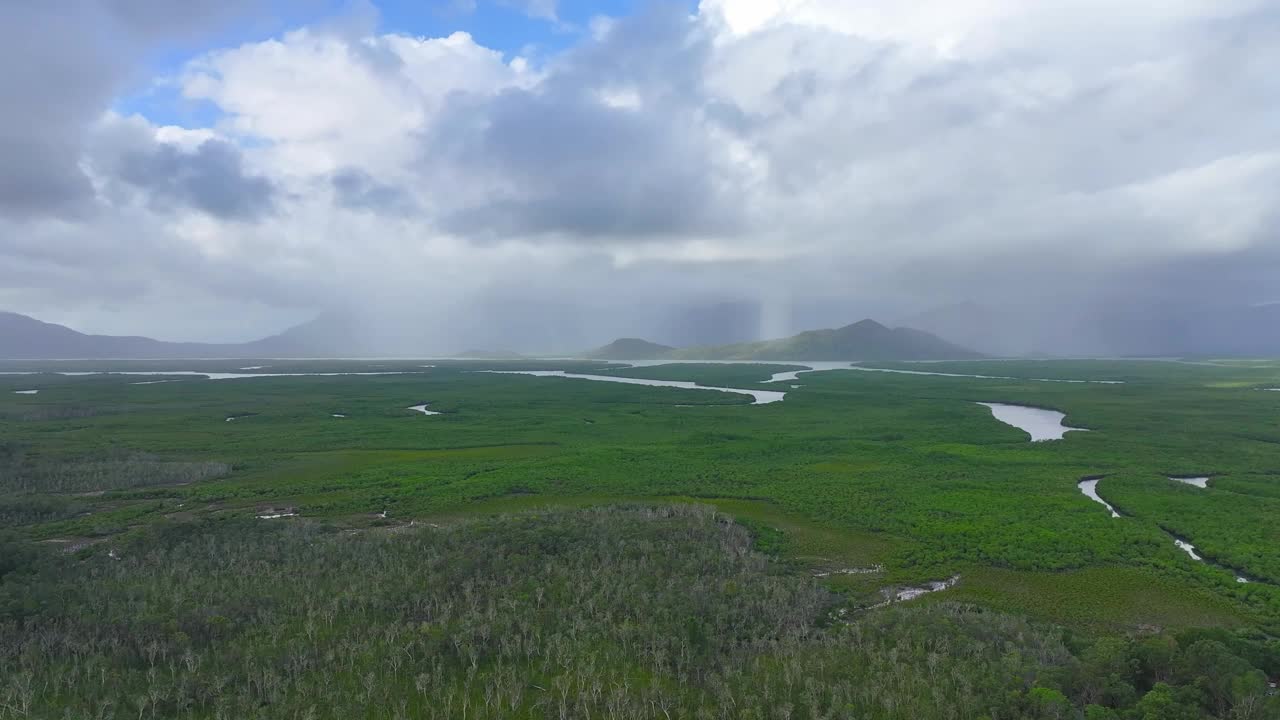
[(545, 175)]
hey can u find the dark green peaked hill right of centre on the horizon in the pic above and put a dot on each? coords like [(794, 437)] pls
[(866, 340)]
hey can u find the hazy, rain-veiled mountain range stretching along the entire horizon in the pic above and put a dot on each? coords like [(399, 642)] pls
[(1116, 330)]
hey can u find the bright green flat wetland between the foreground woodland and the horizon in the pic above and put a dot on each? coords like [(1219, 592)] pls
[(853, 471)]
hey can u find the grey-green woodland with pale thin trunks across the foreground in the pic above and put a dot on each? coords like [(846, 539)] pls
[(624, 613)]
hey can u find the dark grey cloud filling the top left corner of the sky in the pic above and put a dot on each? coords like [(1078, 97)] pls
[(63, 63)]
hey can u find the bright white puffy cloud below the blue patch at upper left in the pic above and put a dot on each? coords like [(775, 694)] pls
[(323, 101)]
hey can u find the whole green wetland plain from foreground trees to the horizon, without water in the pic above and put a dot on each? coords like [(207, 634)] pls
[(115, 495)]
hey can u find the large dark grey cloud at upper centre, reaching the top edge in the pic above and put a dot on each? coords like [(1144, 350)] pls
[(612, 147)]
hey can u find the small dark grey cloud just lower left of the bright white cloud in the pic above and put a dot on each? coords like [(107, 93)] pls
[(211, 179)]
